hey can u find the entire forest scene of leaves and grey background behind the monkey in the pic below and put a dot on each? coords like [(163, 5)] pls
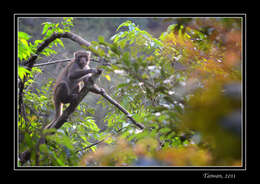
[(181, 78)]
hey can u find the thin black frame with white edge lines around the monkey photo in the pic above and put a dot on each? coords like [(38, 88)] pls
[(177, 170)]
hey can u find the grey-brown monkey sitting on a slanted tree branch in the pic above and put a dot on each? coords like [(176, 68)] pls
[(69, 82)]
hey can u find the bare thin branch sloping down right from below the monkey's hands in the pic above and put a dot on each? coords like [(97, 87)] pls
[(101, 91)]
